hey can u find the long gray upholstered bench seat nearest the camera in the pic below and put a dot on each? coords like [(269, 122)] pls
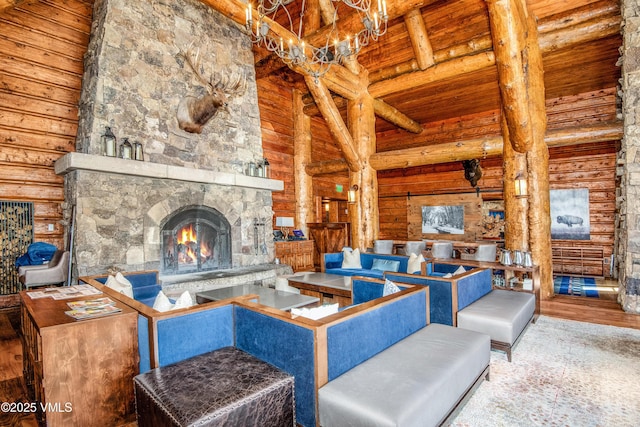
[(419, 381)]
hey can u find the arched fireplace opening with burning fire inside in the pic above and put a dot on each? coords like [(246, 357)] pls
[(194, 239)]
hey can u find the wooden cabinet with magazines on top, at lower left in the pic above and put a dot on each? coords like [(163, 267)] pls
[(80, 371)]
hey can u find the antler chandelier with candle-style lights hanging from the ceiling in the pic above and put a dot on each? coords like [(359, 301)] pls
[(315, 61)]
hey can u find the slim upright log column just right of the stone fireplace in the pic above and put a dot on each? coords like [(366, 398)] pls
[(305, 209)]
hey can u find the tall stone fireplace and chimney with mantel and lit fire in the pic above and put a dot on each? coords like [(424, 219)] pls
[(188, 207)]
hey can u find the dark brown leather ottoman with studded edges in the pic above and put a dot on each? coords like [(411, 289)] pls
[(226, 387)]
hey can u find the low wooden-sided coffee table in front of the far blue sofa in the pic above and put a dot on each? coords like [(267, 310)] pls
[(329, 288)]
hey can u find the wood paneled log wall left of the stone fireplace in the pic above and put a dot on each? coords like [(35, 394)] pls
[(42, 45)]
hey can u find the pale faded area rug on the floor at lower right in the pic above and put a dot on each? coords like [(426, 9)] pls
[(563, 373)]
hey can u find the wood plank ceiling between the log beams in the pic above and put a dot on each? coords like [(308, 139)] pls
[(579, 41)]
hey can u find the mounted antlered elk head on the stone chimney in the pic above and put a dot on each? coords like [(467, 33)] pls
[(193, 113)]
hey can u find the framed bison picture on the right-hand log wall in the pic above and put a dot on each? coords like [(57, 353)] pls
[(570, 214)]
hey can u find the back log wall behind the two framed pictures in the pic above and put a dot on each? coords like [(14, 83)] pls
[(591, 166)]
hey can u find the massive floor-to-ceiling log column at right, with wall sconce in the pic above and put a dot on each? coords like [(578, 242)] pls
[(521, 82)]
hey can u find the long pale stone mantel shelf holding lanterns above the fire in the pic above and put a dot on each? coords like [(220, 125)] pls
[(113, 165)]
